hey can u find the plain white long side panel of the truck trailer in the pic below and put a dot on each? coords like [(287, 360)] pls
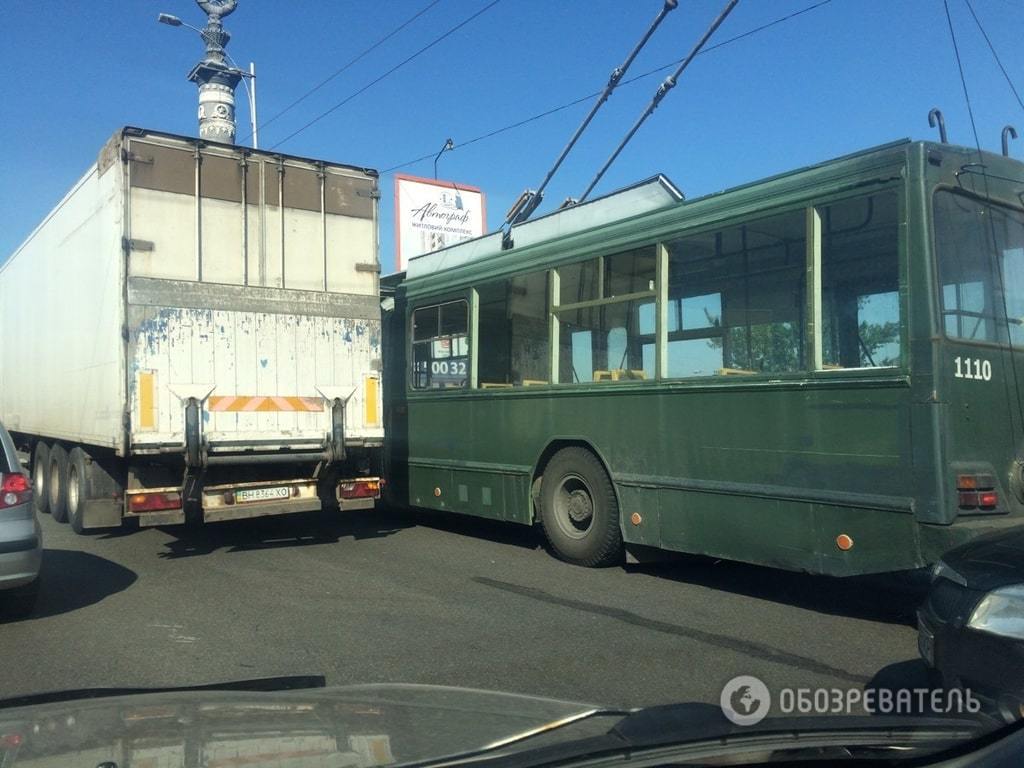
[(62, 317)]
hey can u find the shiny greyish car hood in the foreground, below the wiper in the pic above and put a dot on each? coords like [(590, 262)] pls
[(359, 727)]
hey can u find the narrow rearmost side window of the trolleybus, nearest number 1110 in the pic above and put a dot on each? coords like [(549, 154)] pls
[(861, 305)]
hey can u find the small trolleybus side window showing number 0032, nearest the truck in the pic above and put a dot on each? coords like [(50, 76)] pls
[(441, 347)]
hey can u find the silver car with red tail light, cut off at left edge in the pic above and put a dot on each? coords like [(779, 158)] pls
[(21, 537)]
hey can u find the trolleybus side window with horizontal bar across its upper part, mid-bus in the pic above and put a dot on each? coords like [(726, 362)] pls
[(606, 317)]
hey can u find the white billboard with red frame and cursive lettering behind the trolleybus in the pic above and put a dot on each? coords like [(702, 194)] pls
[(431, 215)]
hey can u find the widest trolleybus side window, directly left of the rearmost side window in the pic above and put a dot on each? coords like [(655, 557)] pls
[(737, 300)]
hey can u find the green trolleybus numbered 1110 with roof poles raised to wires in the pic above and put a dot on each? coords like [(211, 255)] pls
[(819, 372)]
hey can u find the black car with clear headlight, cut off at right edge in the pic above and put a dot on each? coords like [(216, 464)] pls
[(971, 628)]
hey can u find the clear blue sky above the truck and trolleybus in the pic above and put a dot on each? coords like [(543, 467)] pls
[(842, 77)]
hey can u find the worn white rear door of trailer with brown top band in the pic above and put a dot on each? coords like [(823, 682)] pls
[(252, 287)]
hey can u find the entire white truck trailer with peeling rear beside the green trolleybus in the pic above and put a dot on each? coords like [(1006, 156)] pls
[(195, 332)]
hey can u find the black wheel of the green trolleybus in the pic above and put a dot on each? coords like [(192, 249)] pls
[(579, 511)]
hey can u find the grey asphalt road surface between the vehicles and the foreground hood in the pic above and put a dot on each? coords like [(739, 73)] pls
[(402, 598)]
